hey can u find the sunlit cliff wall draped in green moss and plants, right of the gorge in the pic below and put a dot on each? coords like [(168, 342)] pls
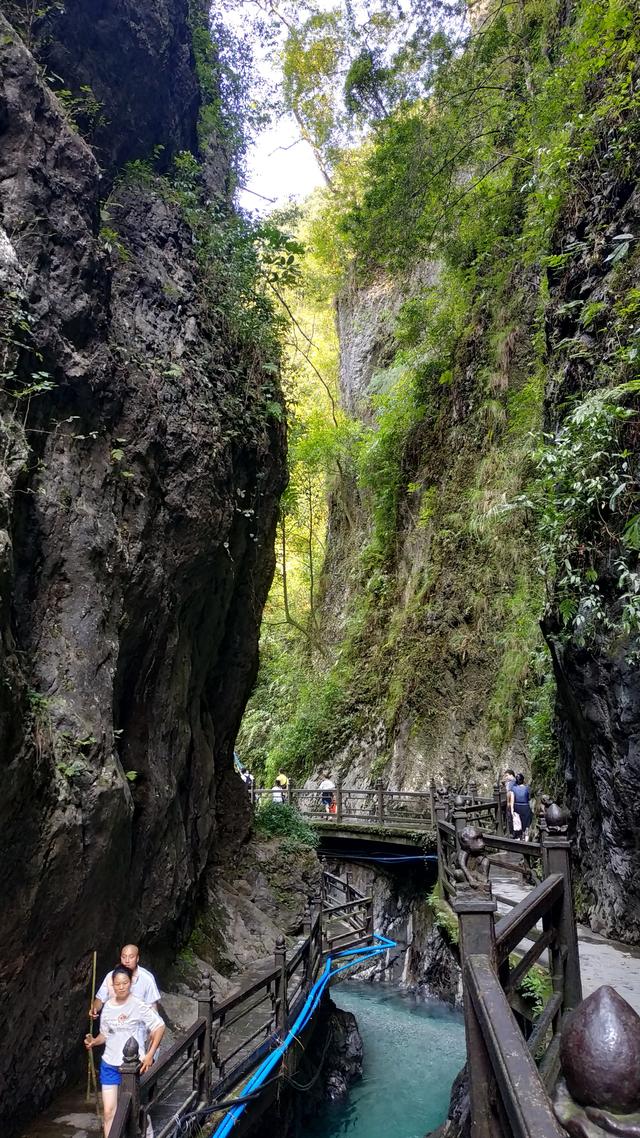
[(498, 491)]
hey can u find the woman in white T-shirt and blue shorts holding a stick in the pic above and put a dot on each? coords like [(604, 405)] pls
[(124, 1016)]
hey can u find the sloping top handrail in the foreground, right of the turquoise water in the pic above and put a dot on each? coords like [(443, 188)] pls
[(526, 1101)]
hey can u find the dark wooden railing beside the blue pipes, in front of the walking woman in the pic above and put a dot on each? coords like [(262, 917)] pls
[(229, 1038)]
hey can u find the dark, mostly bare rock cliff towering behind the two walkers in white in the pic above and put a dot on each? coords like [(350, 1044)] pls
[(142, 471)]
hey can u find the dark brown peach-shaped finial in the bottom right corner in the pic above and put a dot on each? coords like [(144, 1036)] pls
[(601, 1060)]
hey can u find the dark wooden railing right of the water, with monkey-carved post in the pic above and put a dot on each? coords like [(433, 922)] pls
[(513, 1057)]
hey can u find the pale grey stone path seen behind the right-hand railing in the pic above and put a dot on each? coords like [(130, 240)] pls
[(602, 962)]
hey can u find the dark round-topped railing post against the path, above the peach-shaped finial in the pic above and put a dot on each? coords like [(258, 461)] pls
[(556, 859)]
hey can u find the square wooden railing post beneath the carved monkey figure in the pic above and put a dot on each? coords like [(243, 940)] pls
[(478, 936)]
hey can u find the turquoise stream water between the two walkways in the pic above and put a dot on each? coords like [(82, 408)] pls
[(413, 1053)]
